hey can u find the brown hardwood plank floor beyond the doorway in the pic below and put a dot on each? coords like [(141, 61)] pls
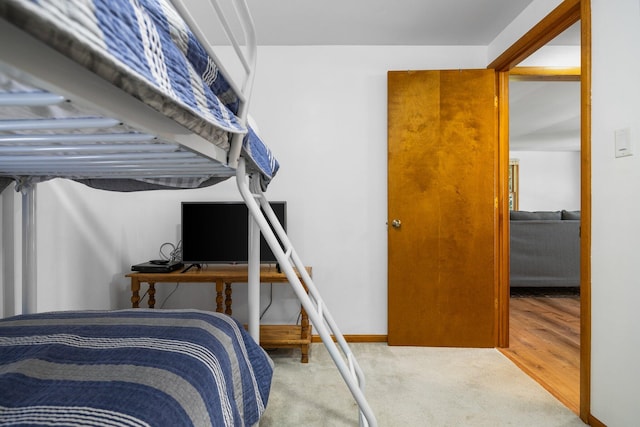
[(544, 341)]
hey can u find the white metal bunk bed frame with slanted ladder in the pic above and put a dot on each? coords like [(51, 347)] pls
[(159, 148)]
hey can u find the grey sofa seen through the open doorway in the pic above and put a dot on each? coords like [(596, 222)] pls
[(545, 249)]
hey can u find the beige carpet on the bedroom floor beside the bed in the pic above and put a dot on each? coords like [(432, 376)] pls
[(411, 386)]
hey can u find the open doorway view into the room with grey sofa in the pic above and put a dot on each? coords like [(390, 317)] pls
[(544, 141)]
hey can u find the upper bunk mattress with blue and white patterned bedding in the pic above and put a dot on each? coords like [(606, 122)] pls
[(146, 49)]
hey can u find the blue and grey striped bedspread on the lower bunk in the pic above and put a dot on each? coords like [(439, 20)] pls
[(136, 367)]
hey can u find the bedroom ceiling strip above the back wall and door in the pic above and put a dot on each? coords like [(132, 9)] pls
[(382, 22)]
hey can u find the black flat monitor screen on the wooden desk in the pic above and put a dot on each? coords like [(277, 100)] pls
[(217, 233)]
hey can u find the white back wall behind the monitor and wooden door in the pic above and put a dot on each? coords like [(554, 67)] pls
[(323, 112)]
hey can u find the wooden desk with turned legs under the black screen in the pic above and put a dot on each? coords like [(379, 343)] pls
[(271, 336)]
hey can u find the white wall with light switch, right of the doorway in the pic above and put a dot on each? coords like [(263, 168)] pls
[(615, 263)]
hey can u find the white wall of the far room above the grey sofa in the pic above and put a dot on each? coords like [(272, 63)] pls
[(549, 180)]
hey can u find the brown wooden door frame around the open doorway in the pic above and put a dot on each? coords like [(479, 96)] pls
[(566, 14)]
